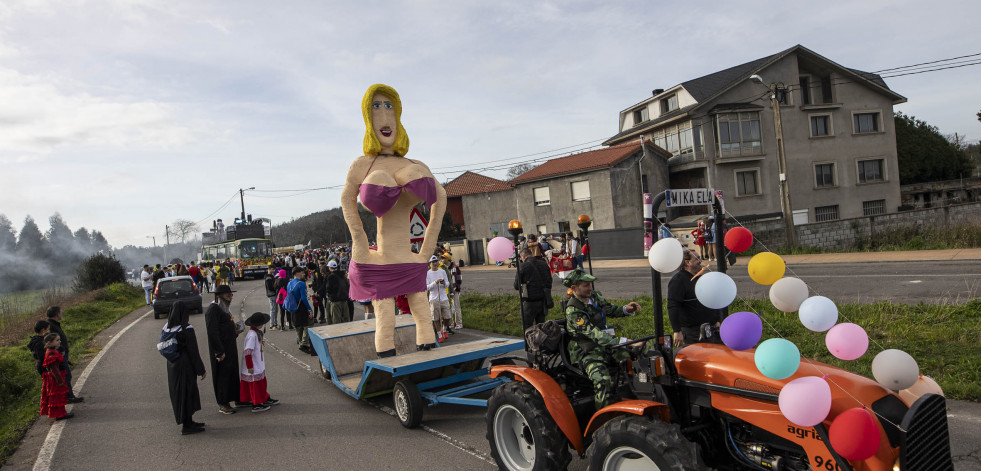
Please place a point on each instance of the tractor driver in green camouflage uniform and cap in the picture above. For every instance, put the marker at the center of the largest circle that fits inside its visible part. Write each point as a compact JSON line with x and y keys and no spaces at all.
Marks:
{"x":592,"y":340}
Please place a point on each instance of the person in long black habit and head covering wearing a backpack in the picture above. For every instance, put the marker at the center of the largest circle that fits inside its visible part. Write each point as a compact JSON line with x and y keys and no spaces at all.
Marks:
{"x":184,"y":395}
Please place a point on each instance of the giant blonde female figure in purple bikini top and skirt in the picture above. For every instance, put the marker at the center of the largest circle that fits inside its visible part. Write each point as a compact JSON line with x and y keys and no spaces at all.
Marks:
{"x":390,"y":185}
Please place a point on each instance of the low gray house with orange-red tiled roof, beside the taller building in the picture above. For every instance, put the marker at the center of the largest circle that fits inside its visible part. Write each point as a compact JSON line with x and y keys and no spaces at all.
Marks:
{"x":606,"y":184}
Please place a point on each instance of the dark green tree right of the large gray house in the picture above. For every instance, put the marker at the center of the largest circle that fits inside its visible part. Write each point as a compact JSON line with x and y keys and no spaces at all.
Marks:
{"x":924,"y":154}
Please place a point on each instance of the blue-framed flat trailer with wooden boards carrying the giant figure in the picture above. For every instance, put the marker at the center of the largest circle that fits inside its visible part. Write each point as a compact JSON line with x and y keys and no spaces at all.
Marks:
{"x":445,"y":375}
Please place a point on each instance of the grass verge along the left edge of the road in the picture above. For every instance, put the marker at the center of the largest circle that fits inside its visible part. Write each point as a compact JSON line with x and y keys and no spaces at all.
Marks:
{"x":20,"y":385}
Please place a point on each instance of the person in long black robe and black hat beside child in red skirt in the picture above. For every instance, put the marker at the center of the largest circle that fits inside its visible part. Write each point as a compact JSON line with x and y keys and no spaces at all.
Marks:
{"x":222,"y":333}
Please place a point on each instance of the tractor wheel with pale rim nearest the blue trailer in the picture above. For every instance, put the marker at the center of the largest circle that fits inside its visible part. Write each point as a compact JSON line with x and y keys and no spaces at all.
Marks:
{"x":521,"y":432}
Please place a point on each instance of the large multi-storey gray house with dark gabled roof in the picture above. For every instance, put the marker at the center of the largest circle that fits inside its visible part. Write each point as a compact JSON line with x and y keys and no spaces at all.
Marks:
{"x":719,"y":129}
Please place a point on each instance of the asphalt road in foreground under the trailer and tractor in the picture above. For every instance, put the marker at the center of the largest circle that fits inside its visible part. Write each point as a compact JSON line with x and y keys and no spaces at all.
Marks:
{"x":126,"y":421}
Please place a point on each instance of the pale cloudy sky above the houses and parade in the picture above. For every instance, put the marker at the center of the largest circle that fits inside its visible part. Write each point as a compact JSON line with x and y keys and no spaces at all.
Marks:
{"x":125,"y":115}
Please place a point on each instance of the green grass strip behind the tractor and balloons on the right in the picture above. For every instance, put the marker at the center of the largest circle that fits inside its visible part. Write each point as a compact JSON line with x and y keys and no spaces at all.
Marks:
{"x":943,"y":339}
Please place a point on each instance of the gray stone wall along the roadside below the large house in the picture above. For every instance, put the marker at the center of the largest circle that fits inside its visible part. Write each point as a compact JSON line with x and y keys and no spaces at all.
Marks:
{"x":847,"y":233}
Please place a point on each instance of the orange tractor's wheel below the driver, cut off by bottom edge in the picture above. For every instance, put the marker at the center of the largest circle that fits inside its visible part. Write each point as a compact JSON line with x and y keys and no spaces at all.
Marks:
{"x":634,"y":442}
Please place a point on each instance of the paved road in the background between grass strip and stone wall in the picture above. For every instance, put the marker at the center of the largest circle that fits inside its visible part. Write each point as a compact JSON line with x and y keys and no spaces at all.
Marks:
{"x":903,"y":282}
